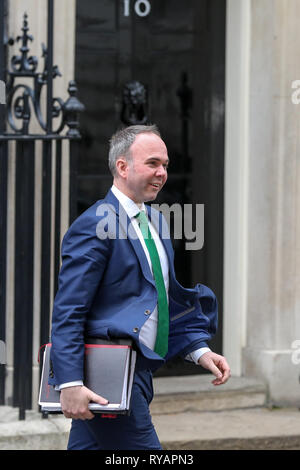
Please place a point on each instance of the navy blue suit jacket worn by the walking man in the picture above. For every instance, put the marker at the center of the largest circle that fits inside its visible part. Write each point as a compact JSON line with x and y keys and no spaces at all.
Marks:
{"x":106,"y":289}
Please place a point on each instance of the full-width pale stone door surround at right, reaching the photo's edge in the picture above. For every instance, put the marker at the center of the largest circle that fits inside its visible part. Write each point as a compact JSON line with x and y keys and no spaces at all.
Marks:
{"x":262,"y":196}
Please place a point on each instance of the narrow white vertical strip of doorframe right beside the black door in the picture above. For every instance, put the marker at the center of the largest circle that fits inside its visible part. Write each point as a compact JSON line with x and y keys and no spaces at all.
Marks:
{"x":236,"y":179}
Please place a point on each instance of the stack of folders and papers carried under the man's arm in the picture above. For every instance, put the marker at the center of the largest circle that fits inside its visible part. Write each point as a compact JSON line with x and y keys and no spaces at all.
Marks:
{"x":109,"y":371}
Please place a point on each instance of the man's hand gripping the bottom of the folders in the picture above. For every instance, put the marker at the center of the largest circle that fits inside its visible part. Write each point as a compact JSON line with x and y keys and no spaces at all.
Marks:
{"x":75,"y":400}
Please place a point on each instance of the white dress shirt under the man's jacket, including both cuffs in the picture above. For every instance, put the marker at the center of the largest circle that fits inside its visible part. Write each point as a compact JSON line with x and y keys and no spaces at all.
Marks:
{"x":148,"y":331}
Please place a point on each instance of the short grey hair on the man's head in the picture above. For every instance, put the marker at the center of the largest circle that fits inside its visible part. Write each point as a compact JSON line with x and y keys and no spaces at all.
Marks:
{"x":122,"y":140}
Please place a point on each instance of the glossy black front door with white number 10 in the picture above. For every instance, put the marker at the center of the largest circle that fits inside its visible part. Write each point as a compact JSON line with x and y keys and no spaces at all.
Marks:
{"x":162,"y":62}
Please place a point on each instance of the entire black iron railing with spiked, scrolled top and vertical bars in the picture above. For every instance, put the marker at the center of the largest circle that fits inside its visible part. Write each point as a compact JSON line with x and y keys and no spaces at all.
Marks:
{"x":23,"y":122}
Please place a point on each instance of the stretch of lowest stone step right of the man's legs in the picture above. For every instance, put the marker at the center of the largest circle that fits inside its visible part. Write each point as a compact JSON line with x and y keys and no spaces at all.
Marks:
{"x":243,"y":429}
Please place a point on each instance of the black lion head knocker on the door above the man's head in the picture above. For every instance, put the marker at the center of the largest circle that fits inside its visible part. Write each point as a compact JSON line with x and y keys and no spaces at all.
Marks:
{"x":134,"y":104}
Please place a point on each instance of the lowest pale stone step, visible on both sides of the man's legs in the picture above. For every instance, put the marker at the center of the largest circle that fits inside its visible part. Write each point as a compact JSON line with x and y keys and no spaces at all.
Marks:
{"x":242,"y":429}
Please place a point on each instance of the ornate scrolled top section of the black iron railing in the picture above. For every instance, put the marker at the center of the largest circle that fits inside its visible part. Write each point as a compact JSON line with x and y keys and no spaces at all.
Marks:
{"x":18,"y":107}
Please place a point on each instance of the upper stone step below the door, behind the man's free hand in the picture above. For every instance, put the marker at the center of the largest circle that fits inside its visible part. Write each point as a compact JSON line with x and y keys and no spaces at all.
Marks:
{"x":196,"y":393}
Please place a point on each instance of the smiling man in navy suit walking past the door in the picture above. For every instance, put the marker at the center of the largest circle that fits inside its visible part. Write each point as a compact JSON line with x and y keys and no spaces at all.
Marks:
{"x":107,"y":289}
